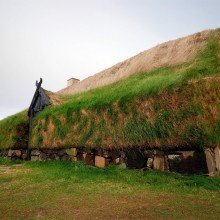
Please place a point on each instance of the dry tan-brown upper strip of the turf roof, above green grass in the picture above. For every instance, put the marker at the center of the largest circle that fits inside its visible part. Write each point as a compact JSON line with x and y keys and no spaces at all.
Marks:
{"x":167,"y":54}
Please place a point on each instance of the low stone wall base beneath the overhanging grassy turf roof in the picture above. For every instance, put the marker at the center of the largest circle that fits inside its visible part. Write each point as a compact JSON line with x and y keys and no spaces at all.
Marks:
{"x":186,"y":162}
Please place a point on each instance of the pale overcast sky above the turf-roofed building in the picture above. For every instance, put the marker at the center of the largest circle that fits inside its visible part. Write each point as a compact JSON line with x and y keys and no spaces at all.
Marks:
{"x":60,"y":39}
